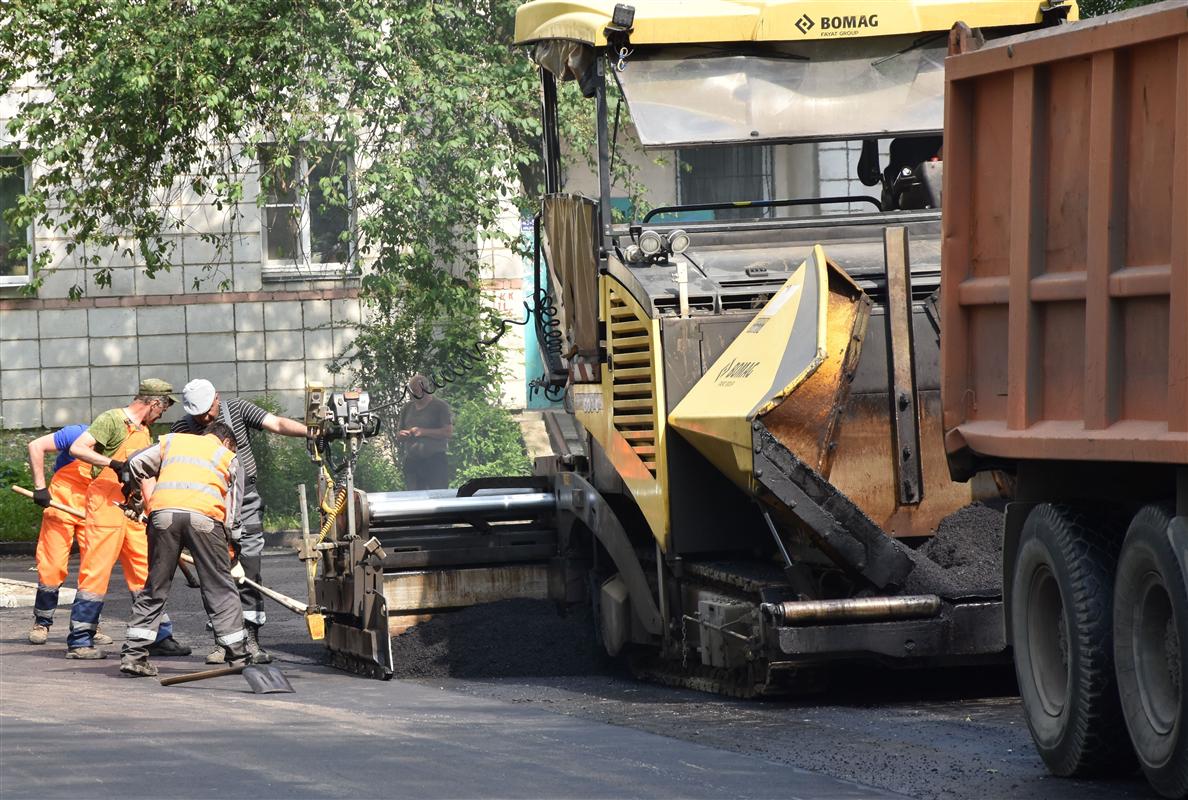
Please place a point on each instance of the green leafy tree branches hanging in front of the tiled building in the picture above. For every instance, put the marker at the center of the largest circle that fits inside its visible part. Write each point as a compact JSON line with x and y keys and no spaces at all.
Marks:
{"x":424,"y":110}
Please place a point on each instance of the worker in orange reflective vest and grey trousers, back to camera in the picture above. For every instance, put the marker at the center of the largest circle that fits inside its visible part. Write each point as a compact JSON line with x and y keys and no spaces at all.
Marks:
{"x":194,"y":490}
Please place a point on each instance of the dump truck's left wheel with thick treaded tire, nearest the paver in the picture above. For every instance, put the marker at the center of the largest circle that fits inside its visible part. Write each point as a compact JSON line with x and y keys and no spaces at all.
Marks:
{"x":1063,"y":632}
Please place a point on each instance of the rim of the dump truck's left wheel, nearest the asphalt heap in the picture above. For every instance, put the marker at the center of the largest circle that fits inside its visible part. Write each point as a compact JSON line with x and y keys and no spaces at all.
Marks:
{"x":1048,"y":640}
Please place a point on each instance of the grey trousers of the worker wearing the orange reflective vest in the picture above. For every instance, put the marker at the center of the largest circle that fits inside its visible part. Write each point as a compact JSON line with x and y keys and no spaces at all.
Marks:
{"x":169,"y":532}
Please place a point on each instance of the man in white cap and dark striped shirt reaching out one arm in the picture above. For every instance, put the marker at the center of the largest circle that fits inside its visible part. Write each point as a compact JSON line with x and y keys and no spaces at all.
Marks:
{"x":204,"y":406}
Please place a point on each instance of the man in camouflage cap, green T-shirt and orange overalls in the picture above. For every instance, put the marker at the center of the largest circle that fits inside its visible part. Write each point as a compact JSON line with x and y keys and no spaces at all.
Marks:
{"x":109,"y":536}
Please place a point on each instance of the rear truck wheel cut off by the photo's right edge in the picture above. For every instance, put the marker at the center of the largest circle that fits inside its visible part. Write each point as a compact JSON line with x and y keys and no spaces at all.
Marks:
{"x":1151,"y":638}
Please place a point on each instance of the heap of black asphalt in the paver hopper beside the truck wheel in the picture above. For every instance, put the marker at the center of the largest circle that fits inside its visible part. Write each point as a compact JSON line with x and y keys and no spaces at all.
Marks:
{"x":964,"y":558}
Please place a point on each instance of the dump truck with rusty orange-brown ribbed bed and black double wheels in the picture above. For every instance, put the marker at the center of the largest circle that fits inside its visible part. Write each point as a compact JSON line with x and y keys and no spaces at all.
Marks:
{"x":1065,"y":362}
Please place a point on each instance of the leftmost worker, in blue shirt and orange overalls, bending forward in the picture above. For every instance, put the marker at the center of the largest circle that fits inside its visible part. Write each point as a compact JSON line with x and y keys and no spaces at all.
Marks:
{"x":68,"y":487}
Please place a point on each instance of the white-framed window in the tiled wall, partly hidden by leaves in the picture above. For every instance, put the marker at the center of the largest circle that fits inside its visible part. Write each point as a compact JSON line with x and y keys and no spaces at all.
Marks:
{"x":307,"y":221}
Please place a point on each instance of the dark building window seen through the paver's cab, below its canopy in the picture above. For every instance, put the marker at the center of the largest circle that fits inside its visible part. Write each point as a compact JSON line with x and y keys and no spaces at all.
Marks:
{"x":724,"y":175}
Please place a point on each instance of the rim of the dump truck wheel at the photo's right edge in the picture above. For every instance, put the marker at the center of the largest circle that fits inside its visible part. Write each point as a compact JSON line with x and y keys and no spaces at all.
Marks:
{"x":1158,"y":656}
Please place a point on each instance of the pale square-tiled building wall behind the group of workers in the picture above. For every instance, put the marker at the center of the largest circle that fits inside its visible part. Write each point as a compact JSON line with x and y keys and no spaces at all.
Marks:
{"x":65,"y":362}
